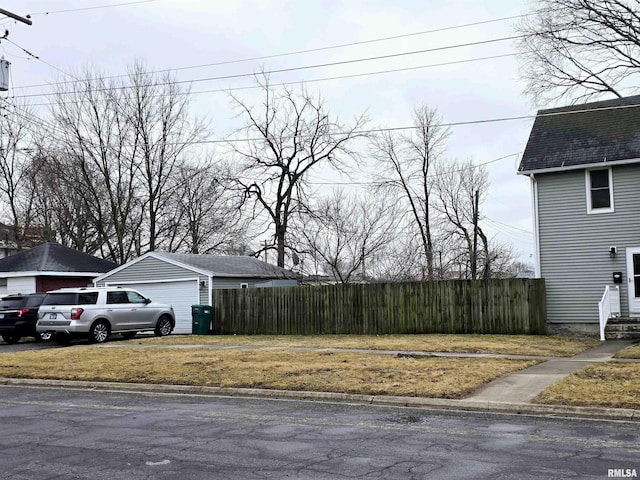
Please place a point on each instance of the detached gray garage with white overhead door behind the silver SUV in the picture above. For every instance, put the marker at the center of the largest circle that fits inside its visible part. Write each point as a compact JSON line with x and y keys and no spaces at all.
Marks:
{"x":183,"y":279}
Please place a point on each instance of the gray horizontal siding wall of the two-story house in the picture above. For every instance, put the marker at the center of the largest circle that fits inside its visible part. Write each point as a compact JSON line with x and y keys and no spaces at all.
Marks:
{"x":574,"y":245}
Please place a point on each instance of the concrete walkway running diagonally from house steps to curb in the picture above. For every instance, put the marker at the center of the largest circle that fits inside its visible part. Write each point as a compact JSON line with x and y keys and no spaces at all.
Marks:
{"x":523,"y":386}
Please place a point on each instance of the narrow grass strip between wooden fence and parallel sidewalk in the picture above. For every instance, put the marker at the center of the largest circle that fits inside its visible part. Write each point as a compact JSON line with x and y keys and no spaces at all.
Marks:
{"x":541,"y":345}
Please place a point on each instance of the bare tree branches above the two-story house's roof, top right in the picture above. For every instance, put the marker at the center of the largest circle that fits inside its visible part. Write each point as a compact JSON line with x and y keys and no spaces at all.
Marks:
{"x":580,"y":49}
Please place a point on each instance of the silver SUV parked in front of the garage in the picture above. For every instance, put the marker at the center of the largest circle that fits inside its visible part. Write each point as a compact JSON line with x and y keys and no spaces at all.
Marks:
{"x":97,"y":312}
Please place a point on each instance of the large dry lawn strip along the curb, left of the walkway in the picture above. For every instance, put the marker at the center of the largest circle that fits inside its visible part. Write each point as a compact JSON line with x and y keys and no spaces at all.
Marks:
{"x":346,"y":372}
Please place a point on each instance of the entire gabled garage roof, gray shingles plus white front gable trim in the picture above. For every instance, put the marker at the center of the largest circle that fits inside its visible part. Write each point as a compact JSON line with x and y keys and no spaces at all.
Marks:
{"x":220,"y":266}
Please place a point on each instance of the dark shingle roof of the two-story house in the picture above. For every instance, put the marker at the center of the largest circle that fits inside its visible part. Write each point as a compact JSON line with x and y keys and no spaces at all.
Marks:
{"x":598,"y":132}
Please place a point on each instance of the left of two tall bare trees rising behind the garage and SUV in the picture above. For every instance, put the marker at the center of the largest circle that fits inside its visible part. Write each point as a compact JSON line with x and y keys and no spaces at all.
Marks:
{"x":94,"y":131}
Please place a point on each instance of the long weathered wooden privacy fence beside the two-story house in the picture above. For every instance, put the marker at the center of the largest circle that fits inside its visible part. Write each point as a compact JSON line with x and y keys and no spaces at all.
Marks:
{"x":510,"y":306}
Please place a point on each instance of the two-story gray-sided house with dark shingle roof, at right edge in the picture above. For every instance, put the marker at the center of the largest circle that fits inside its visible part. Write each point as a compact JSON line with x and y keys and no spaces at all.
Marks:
{"x":584,"y":166}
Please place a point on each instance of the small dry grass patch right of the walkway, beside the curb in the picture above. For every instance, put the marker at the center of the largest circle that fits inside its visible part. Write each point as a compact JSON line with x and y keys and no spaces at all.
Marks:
{"x":607,"y":384}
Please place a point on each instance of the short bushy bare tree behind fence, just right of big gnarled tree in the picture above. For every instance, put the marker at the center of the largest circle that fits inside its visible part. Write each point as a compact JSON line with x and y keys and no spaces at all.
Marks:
{"x":347,"y":233}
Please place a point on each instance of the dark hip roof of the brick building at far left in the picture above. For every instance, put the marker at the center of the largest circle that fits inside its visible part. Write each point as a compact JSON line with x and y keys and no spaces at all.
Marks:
{"x":53,"y":257}
